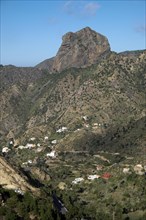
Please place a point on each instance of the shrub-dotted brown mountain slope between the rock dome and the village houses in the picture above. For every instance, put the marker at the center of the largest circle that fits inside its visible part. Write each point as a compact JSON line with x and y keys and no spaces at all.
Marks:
{"x":111,"y":91}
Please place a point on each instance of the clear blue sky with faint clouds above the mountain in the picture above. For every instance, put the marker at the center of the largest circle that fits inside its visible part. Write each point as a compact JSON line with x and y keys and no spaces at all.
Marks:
{"x":31,"y":31}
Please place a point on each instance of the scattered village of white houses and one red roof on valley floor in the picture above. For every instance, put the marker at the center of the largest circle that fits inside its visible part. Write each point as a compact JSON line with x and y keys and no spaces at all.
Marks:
{"x":82,"y":168}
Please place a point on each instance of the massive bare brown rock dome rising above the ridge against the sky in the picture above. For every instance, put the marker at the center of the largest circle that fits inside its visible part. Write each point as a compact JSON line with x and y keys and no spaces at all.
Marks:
{"x":80,"y":49}
